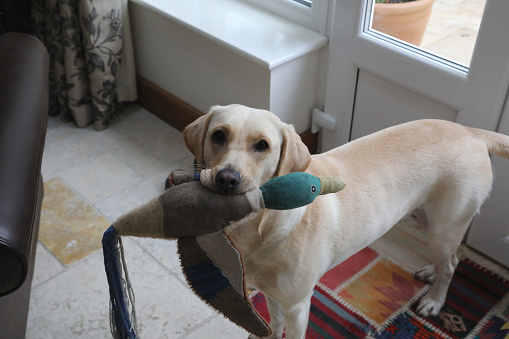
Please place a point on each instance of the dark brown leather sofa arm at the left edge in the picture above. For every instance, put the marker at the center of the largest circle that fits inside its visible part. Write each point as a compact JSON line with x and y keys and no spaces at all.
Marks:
{"x":23,"y":117}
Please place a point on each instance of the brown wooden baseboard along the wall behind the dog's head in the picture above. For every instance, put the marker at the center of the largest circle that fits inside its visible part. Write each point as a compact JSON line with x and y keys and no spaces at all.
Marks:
{"x":179,"y":114}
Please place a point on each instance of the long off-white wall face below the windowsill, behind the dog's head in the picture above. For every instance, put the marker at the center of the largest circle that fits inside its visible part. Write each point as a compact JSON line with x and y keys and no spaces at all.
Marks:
{"x":192,"y":67}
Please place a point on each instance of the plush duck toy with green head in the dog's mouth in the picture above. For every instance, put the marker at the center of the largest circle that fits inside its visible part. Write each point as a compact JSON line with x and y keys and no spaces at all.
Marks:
{"x":195,"y":215}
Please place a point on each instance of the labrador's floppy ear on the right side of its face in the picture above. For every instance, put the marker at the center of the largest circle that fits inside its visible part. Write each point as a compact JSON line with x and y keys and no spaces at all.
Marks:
{"x":295,"y":155}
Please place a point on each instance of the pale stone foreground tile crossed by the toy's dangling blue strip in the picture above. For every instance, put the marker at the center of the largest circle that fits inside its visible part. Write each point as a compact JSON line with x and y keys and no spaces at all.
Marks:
{"x":75,"y":304}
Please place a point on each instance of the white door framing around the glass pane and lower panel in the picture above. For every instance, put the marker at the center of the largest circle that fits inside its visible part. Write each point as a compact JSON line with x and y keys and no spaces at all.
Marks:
{"x":478,"y":93}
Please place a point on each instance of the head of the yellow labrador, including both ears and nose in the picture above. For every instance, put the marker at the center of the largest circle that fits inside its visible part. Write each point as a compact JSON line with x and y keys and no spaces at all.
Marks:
{"x":244,"y":147}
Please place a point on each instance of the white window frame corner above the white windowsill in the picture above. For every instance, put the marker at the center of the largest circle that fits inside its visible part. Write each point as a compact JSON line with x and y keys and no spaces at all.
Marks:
{"x":313,"y":17}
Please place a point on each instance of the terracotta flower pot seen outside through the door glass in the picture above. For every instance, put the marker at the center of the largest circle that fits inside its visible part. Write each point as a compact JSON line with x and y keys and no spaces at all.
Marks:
{"x":406,"y":21}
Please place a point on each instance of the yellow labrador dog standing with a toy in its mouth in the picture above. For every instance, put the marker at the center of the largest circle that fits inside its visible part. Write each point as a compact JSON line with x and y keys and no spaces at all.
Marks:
{"x":438,"y":167}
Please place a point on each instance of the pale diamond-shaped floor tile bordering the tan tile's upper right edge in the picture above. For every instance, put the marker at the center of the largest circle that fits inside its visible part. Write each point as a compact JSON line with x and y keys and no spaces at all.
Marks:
{"x":100,"y":178}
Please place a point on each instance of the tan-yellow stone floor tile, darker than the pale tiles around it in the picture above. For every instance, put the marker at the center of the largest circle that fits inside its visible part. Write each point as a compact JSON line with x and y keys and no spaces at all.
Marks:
{"x":70,"y":228}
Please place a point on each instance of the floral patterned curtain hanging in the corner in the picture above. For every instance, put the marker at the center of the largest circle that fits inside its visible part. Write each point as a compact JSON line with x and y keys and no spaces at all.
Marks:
{"x":91,"y":62}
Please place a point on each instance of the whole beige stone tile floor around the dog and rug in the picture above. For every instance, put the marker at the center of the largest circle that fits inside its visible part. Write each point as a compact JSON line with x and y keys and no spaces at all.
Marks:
{"x":90,"y":179}
